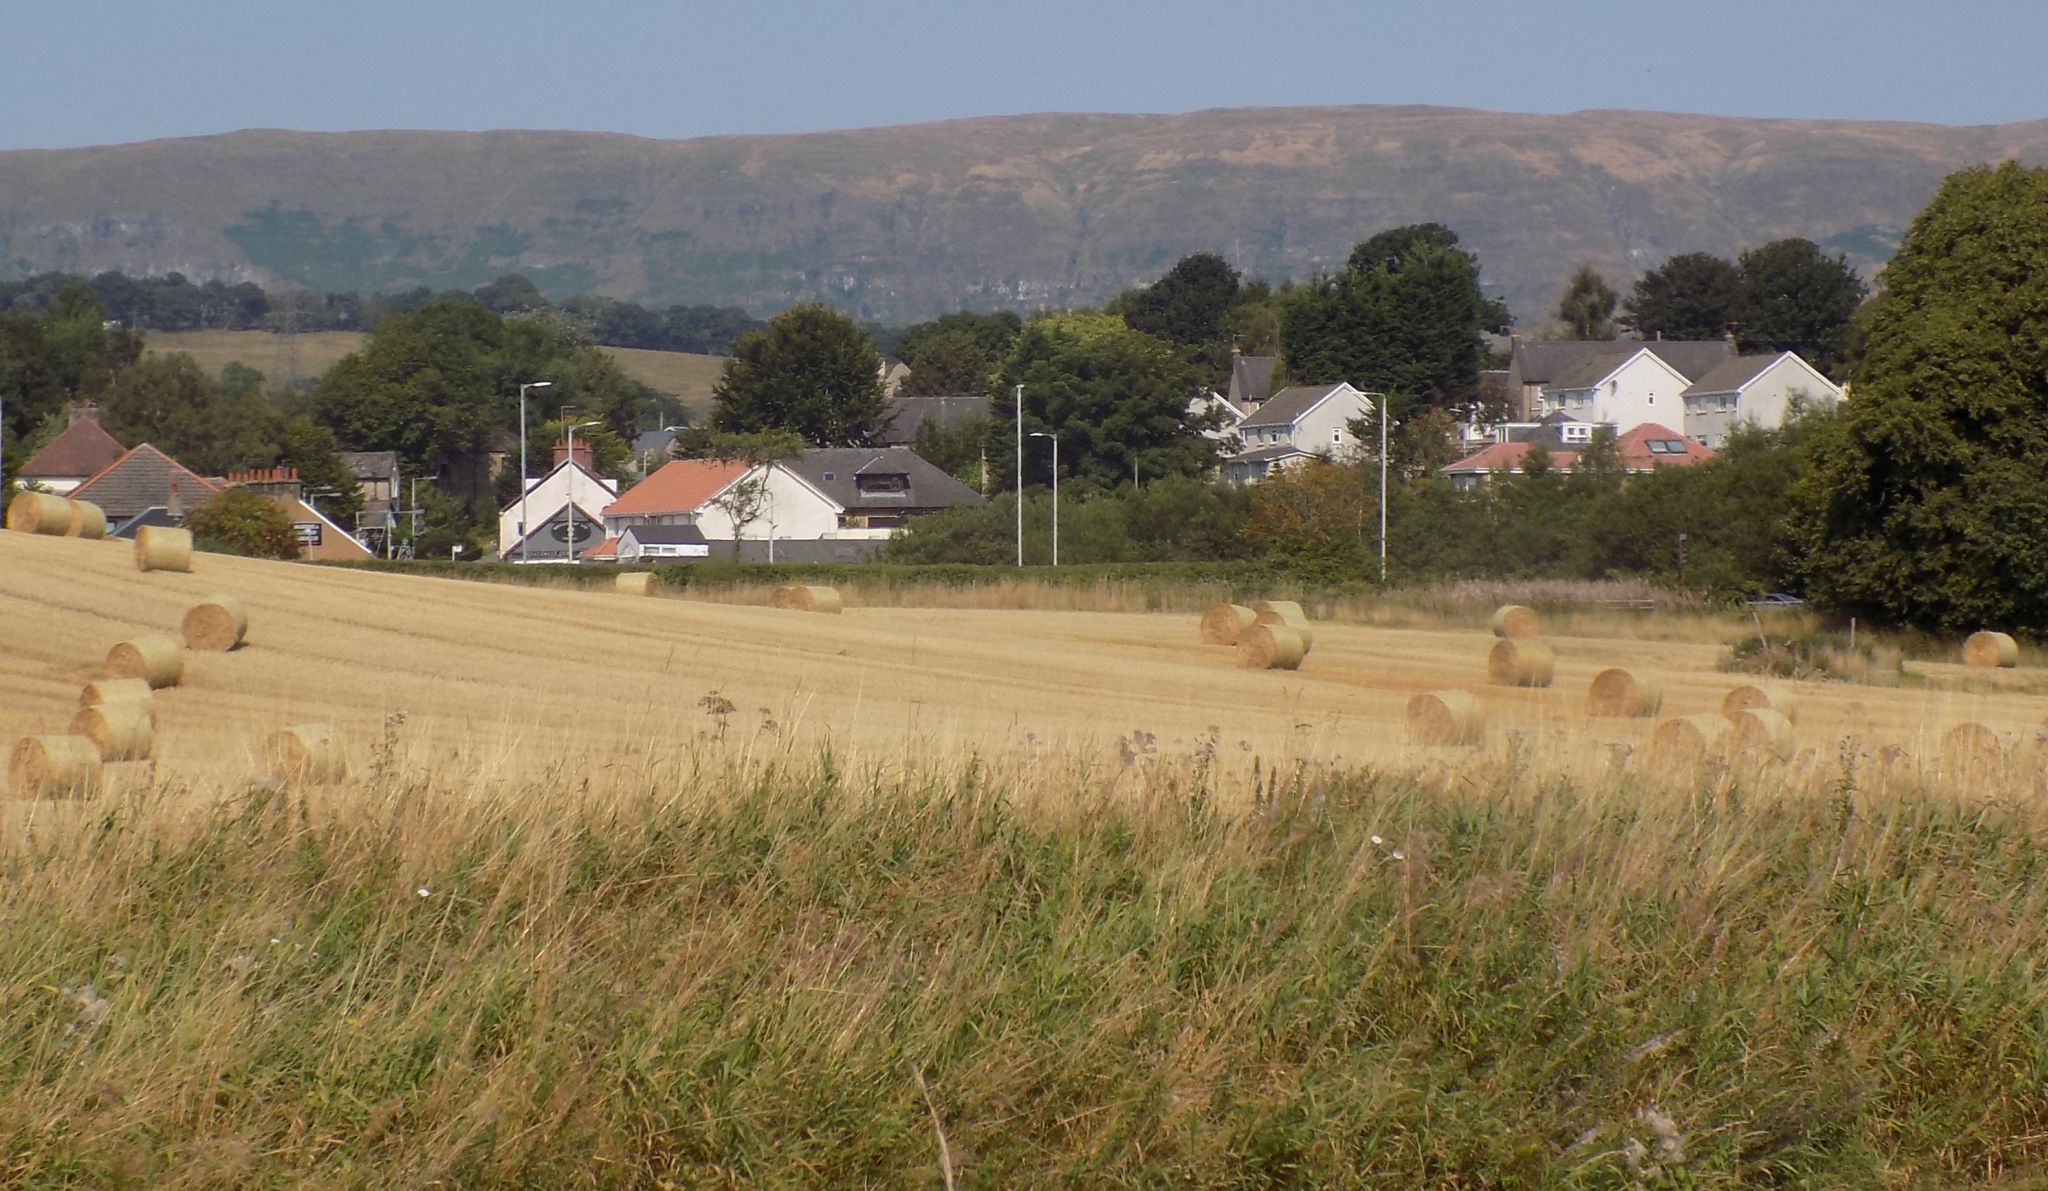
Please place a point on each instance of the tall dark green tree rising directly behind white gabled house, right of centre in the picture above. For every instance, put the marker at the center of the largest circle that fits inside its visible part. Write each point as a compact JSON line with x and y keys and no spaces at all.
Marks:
{"x":1404,"y":318}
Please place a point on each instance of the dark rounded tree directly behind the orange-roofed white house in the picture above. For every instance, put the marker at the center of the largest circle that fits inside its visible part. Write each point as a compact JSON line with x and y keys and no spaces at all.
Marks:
{"x":812,"y":373}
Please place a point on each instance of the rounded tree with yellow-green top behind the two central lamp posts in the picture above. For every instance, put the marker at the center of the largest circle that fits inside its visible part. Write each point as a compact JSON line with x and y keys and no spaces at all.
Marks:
{"x":1115,"y":398}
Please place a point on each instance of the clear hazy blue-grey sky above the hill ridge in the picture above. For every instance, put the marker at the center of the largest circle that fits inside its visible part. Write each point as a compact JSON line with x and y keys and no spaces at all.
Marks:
{"x":128,"y":71}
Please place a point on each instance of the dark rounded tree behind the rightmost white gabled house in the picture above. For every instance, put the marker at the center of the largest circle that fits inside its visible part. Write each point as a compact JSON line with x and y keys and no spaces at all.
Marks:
{"x":1799,"y":300}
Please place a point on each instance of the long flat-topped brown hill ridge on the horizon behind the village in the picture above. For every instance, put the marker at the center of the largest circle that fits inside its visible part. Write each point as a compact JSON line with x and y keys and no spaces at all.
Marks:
{"x":1013,"y":212}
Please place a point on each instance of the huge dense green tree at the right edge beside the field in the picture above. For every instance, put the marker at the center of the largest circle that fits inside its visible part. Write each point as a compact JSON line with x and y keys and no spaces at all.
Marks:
{"x":1926,"y":502}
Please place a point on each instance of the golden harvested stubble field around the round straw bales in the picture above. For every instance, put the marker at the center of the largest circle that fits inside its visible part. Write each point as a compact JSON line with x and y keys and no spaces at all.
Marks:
{"x":509,"y":682}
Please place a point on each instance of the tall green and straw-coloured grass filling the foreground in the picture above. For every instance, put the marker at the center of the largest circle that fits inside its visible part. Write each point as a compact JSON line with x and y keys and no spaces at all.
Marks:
{"x":812,"y":971}
